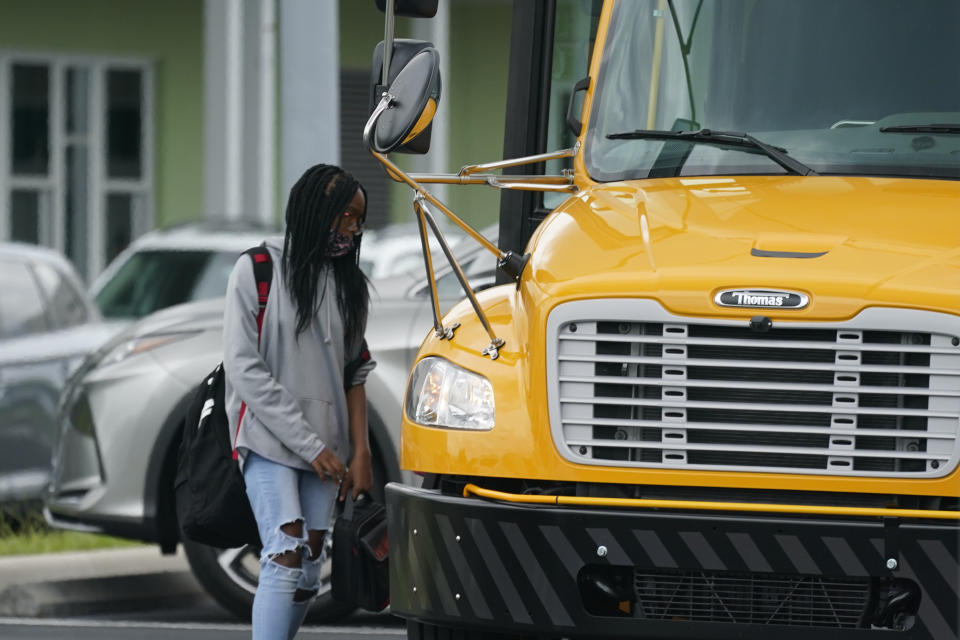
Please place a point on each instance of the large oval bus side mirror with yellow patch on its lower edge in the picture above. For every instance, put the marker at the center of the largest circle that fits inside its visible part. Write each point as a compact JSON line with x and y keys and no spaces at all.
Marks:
{"x":408,"y":105}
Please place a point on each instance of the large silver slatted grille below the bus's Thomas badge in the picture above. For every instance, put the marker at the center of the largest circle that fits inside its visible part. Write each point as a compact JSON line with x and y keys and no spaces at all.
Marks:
{"x":845,"y":400}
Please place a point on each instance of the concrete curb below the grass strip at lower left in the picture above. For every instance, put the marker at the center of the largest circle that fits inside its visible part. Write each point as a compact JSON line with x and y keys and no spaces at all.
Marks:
{"x":91,"y":582}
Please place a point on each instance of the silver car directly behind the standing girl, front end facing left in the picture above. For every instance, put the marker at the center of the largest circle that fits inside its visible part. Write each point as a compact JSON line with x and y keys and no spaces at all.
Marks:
{"x":120,"y":423}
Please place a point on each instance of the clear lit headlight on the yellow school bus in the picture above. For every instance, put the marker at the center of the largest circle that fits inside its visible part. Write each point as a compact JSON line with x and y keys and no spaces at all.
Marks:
{"x":441,"y":394}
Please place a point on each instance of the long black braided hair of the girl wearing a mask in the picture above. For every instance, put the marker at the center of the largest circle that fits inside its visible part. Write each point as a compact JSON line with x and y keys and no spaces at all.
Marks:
{"x":317,"y":202}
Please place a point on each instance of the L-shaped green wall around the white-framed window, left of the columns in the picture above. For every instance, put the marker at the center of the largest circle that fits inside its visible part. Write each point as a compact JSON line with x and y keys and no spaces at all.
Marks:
{"x":168,"y":33}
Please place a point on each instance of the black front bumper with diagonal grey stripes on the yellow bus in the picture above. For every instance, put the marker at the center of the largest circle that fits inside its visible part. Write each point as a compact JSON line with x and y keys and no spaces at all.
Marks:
{"x":467,"y":562}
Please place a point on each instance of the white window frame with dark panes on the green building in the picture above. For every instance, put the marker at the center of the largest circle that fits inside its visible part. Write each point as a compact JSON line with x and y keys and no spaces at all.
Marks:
{"x":99,"y":186}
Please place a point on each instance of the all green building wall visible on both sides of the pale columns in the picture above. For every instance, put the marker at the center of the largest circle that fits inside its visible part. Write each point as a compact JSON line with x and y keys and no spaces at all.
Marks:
{"x":170,"y":34}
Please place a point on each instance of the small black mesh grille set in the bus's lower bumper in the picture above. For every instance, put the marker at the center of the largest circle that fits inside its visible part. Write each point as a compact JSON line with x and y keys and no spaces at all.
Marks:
{"x":696,"y":596}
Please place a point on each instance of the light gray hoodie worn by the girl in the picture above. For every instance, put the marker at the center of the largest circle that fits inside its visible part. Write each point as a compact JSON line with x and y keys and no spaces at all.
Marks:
{"x":293,"y":386}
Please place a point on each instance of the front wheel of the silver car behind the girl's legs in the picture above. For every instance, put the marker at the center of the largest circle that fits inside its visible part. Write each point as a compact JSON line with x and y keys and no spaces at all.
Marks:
{"x":230,"y":575}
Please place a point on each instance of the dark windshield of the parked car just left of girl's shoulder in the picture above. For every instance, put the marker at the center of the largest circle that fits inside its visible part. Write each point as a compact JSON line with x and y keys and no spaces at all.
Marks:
{"x":154,"y":279}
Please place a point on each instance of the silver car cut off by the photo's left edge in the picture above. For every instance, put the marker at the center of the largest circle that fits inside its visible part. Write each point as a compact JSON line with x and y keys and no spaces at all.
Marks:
{"x":47,"y":326}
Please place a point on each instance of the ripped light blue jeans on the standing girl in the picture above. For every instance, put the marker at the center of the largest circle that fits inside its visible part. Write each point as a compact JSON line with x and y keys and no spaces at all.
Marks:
{"x":281,"y":495}
